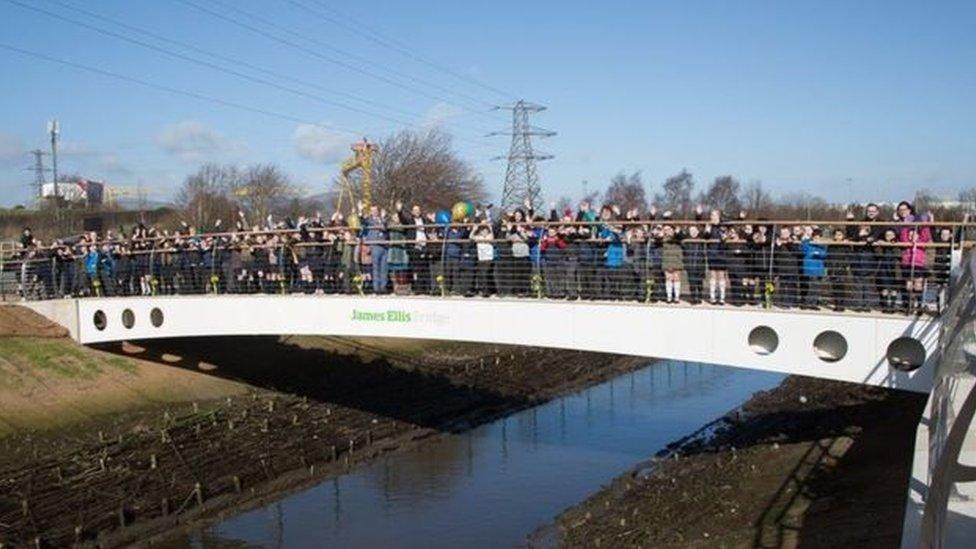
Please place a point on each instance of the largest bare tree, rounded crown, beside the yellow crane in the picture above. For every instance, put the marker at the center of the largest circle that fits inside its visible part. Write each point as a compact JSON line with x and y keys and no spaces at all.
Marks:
{"x":422,"y":167}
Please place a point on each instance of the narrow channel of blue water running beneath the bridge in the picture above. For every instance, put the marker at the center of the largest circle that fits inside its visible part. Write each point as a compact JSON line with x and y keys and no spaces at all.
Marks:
{"x":493,"y":485}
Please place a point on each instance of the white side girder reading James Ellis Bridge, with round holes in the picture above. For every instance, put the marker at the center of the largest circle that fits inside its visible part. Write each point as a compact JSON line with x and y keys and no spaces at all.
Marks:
{"x":889,"y":351}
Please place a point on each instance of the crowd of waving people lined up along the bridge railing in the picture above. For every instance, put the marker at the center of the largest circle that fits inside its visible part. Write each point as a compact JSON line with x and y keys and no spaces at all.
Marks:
{"x":591,"y":253}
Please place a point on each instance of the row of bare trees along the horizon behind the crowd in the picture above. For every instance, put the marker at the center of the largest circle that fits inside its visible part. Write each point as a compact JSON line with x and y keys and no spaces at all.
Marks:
{"x":422,"y":167}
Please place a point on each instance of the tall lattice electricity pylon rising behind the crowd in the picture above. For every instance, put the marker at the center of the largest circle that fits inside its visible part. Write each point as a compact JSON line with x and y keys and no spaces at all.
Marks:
{"x":521,"y":177}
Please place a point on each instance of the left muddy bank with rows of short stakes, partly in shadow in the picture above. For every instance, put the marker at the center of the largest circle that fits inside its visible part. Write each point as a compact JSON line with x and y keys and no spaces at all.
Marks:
{"x":301,"y":410}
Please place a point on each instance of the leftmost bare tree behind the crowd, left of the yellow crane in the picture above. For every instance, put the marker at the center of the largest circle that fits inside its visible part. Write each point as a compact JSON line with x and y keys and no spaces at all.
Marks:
{"x":205,"y":195}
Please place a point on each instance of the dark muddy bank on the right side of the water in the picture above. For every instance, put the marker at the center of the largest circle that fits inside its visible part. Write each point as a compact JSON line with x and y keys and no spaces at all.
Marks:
{"x":811,"y":463}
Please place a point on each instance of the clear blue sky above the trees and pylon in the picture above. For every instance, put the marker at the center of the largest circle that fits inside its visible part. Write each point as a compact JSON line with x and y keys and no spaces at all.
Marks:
{"x":802,"y":96}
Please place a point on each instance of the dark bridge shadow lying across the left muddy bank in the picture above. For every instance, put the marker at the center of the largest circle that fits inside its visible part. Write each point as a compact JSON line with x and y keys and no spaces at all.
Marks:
{"x":385,"y":383}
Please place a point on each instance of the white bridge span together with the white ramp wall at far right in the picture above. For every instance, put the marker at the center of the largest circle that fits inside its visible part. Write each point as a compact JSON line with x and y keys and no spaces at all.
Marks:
{"x":923,"y":354}
